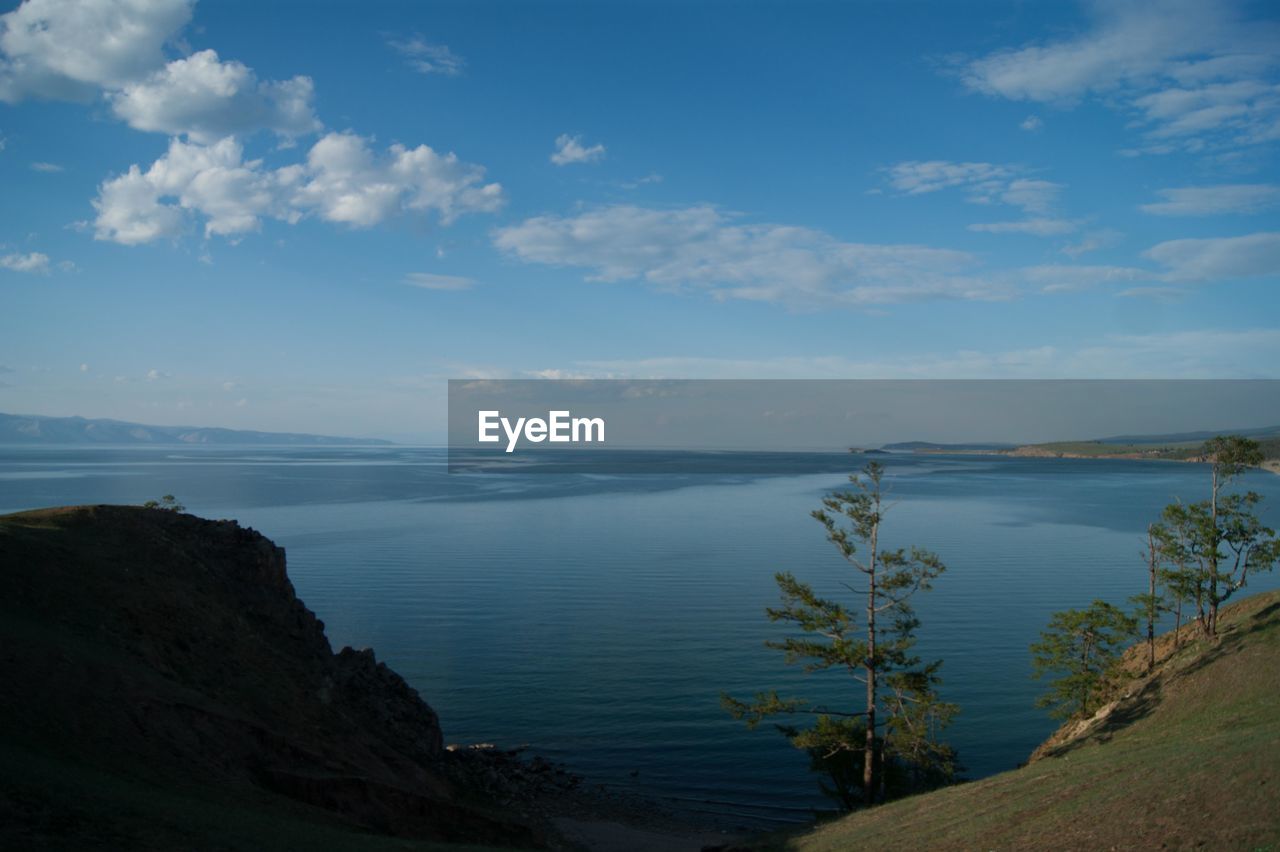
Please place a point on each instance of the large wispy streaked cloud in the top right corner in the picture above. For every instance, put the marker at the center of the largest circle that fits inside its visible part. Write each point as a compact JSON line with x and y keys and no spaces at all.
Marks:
{"x":1190,"y":71}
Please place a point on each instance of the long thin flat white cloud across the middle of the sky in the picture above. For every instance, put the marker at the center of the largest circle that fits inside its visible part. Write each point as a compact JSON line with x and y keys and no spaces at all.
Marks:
{"x":702,"y":249}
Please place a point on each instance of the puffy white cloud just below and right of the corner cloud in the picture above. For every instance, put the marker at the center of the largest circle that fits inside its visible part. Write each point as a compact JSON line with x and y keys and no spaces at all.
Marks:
{"x":208,"y":99}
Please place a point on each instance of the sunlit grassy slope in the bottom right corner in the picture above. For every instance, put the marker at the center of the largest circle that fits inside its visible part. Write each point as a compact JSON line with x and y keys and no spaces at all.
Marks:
{"x":1191,"y":758}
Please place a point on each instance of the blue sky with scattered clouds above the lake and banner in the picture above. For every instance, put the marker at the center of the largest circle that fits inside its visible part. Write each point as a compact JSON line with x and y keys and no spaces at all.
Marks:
{"x":308,"y":217}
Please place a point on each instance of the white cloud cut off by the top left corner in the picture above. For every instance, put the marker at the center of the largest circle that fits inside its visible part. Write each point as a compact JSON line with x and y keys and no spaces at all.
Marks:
{"x":72,"y":49}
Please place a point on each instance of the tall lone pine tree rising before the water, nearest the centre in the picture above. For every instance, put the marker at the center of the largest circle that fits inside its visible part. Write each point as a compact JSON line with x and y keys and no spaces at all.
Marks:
{"x":894,"y":738}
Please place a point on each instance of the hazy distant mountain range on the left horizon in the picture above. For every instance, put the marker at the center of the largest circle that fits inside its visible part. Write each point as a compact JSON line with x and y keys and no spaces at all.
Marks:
{"x":34,"y":429}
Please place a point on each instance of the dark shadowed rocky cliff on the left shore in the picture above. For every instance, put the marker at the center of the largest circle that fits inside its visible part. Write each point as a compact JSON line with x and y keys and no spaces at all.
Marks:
{"x":166,"y":657}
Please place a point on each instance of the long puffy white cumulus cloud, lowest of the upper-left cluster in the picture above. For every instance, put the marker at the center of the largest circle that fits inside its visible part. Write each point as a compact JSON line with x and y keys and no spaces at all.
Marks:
{"x":342,"y":181}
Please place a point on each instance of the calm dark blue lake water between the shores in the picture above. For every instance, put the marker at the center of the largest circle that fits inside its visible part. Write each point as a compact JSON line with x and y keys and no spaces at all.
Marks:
{"x":598,"y":619}
